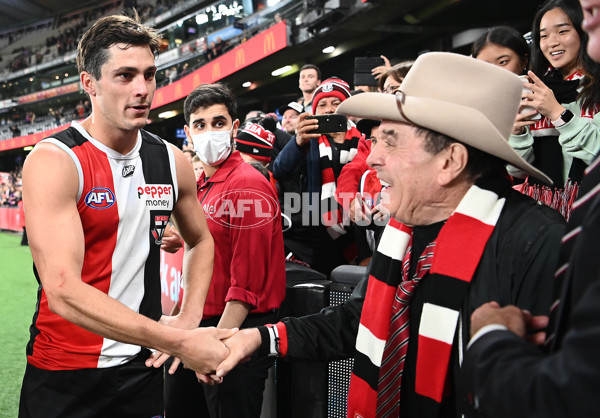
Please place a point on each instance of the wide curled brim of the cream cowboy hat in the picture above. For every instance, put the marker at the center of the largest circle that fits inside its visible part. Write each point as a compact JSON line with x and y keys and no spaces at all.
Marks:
{"x":462,"y":123}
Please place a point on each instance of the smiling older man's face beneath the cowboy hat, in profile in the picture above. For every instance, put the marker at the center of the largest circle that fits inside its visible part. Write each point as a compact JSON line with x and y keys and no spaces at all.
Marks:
{"x":411,"y":172}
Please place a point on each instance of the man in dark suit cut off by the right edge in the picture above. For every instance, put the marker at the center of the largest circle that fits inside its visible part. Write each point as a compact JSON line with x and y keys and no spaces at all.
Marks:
{"x":503,"y":374}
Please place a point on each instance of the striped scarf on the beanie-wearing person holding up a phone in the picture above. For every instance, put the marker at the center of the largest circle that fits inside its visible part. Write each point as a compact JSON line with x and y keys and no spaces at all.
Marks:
{"x":332,"y":213}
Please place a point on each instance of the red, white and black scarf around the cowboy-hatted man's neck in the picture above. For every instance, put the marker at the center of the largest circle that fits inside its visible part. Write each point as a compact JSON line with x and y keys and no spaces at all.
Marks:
{"x":457,"y":252}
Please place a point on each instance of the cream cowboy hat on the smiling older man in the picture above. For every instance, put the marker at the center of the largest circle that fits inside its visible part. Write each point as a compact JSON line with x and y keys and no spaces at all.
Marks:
{"x":466,"y":99}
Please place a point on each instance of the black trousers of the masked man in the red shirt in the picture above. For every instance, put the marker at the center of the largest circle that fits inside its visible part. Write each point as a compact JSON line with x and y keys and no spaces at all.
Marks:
{"x":239,"y":396}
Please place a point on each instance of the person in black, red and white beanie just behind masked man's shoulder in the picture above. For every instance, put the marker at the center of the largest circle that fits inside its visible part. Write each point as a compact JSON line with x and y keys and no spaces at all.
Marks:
{"x":255,"y":145}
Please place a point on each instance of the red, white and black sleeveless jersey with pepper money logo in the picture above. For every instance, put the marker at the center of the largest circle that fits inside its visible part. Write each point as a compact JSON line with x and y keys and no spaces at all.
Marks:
{"x":124,"y":203}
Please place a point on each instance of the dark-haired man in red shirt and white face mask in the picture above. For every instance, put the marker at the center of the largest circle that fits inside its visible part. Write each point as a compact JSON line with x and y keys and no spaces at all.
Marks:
{"x":248,"y":280}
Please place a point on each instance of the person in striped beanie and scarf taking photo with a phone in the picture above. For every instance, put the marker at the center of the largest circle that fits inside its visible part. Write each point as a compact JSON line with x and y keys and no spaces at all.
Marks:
{"x":316,"y":161}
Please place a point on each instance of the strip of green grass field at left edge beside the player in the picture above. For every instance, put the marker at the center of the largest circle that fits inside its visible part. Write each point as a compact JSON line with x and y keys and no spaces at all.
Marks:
{"x":18,"y":289}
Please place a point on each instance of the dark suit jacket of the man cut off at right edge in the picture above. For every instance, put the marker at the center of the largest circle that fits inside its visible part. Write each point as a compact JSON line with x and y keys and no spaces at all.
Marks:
{"x":504,"y":376}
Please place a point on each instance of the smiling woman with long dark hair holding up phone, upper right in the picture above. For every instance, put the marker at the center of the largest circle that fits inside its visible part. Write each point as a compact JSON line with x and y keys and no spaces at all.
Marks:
{"x":566,"y":92}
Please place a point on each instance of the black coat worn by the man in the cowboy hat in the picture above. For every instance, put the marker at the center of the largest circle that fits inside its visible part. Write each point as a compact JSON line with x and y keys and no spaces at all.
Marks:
{"x":516,"y":268}
